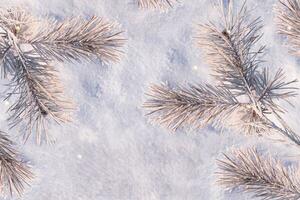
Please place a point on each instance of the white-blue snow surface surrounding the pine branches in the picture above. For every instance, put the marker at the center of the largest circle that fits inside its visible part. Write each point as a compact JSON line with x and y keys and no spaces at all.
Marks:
{"x":111,"y":151}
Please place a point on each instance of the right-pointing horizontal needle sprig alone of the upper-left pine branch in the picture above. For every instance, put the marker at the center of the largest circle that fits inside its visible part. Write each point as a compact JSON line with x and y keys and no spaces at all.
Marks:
{"x":77,"y":38}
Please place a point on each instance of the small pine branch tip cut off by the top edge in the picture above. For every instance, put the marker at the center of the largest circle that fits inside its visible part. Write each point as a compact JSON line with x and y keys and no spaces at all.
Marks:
{"x":156,"y":4}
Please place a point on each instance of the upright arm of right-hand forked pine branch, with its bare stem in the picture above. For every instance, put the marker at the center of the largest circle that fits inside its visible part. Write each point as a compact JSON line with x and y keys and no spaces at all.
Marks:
{"x":230,"y":50}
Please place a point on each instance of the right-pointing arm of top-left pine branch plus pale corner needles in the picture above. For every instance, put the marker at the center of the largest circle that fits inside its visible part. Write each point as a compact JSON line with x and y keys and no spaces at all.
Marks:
{"x":70,"y":39}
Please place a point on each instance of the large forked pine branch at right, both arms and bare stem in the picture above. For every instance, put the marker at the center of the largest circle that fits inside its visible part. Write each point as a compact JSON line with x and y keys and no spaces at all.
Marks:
{"x":246,"y":95}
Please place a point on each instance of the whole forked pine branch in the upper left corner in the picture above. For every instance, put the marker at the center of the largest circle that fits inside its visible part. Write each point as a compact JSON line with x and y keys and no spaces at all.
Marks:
{"x":28,"y":47}
